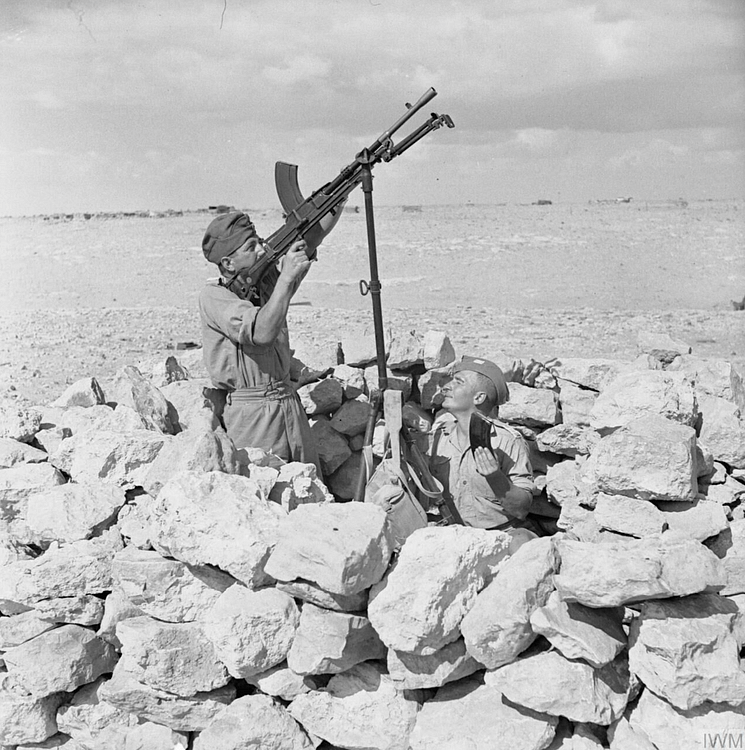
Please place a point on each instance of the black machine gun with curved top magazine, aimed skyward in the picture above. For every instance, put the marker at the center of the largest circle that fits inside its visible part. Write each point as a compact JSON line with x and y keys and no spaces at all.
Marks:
{"x":311,"y":219}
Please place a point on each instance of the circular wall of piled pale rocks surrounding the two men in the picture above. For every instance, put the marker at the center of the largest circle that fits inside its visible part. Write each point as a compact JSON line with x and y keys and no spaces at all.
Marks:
{"x":160,"y":589}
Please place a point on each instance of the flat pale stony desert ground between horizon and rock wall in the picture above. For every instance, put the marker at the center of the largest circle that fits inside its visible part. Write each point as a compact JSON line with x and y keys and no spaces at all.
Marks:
{"x":84,"y":296}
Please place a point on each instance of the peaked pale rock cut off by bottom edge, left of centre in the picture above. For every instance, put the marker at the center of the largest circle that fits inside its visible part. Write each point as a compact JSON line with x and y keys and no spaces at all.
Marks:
{"x":253,"y":721}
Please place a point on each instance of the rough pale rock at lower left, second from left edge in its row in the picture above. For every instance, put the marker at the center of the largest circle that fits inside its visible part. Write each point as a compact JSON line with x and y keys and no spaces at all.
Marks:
{"x":175,"y":657}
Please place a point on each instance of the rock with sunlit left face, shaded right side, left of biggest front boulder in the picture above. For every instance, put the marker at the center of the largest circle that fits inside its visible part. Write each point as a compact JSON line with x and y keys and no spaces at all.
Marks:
{"x":328,"y":642}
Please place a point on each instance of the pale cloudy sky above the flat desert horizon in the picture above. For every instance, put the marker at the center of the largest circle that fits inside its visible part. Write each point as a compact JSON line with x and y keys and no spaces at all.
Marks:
{"x":119,"y":105}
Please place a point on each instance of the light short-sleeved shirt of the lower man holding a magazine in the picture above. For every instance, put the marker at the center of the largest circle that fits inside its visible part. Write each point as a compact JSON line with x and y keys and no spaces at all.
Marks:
{"x":453,"y":464}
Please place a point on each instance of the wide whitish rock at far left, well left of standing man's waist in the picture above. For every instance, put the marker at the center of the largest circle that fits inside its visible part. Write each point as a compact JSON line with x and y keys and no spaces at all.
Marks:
{"x":122,"y":458}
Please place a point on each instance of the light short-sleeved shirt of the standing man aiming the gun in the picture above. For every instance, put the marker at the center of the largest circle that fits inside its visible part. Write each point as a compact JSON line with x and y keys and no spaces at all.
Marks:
{"x":230,"y":355}
